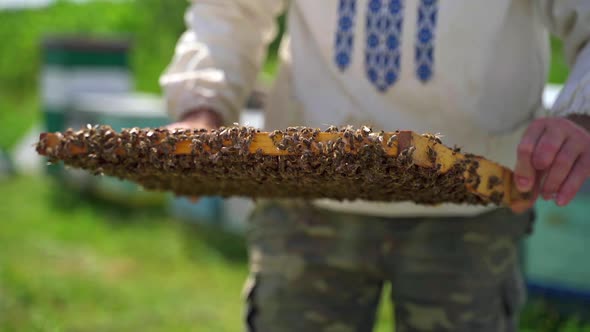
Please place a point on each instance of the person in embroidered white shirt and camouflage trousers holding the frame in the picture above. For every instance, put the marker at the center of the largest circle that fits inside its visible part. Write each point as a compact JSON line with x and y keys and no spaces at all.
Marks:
{"x":471,"y":70}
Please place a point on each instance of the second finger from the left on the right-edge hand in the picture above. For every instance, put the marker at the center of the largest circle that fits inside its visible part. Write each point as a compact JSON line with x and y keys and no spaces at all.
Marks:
{"x":548,"y":147}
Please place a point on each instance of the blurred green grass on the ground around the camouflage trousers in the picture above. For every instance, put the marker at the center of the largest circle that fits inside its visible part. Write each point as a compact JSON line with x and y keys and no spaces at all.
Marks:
{"x":70,"y":265}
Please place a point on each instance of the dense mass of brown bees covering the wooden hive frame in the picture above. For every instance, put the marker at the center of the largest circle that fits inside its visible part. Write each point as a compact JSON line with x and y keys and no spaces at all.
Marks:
{"x":221,"y":163}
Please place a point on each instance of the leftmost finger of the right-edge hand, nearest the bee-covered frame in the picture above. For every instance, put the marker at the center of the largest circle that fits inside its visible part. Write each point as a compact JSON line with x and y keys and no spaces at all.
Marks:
{"x":524,"y":172}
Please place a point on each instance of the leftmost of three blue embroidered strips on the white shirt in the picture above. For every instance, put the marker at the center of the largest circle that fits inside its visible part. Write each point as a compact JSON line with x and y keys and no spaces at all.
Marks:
{"x":345,"y":34}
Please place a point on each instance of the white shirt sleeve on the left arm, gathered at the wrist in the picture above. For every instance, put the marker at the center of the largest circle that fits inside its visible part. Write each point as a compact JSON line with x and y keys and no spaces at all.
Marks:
{"x":219,"y":56}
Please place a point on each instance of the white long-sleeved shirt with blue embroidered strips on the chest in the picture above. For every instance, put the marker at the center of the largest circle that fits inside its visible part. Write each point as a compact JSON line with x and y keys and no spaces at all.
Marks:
{"x":471,"y":70}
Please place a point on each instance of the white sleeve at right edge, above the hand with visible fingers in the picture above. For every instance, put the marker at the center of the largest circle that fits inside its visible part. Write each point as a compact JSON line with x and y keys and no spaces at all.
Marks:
{"x":569,"y":20}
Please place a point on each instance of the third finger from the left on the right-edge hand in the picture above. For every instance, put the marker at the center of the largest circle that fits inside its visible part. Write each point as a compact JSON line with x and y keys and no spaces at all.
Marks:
{"x":561,"y":167}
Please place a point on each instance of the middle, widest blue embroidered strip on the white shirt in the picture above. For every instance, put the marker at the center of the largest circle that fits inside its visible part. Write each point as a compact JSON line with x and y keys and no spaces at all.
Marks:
{"x":383,"y":51}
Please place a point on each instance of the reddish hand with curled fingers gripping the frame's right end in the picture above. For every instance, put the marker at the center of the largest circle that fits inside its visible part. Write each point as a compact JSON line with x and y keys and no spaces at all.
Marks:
{"x":553,"y":160}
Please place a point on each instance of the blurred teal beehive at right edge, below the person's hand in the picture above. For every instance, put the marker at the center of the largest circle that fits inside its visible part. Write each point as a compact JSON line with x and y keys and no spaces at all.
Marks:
{"x":556,"y":255}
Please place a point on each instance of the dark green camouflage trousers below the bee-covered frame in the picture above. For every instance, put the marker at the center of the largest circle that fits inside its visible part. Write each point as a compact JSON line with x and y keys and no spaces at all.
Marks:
{"x":315,"y":270}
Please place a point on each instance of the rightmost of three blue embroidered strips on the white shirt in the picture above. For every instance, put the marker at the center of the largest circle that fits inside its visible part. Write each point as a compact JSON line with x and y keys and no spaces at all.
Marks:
{"x":427,"y":17}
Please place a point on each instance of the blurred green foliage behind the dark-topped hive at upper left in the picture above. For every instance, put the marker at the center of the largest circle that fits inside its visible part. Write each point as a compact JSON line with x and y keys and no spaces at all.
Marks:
{"x":153,"y":25}
